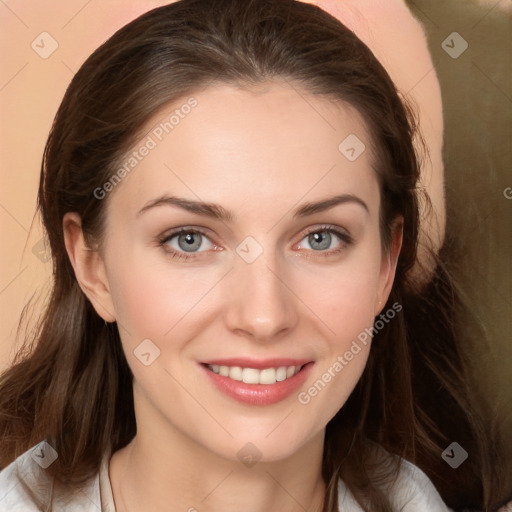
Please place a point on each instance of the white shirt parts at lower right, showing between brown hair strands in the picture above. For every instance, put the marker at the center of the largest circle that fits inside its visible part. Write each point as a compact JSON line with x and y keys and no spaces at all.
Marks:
{"x":412,"y":491}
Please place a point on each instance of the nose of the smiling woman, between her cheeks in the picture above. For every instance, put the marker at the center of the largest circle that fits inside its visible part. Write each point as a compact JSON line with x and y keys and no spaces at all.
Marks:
{"x":261,"y":304}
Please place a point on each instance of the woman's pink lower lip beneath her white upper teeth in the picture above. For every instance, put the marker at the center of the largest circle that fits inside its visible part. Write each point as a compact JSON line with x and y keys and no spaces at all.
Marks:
{"x":259,"y":394}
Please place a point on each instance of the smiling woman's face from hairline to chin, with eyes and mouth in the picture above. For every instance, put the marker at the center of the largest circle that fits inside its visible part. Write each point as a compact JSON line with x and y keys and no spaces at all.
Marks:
{"x":271,"y":282}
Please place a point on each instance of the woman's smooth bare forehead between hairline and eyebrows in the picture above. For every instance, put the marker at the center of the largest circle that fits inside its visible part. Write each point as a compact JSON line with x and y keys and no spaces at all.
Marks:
{"x":268,"y":142}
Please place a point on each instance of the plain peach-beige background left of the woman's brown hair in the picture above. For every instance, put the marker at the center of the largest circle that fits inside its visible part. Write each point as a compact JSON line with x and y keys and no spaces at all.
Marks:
{"x":31,"y":89}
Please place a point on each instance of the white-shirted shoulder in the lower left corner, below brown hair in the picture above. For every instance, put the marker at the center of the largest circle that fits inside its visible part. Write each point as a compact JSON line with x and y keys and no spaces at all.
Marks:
{"x":26,"y":486}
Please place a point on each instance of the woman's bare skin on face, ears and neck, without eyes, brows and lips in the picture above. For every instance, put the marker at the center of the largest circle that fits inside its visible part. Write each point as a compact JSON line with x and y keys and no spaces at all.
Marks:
{"x":259,"y":153}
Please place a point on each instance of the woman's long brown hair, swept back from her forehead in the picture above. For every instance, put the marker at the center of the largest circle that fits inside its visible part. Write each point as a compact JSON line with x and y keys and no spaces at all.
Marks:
{"x":73,"y":385}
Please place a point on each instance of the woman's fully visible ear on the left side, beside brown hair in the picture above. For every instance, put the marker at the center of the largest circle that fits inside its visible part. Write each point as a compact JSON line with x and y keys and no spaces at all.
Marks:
{"x":88,"y":266}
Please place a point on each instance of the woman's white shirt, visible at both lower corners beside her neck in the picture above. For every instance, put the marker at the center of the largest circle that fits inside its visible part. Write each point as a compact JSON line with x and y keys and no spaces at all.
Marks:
{"x":25,"y":486}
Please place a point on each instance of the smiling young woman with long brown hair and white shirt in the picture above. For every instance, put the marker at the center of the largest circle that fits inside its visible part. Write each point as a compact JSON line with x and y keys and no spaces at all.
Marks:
{"x":229,"y":191}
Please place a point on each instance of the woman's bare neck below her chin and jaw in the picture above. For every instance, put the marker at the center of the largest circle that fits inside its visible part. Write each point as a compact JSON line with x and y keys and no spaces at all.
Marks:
{"x":145,"y":476}
